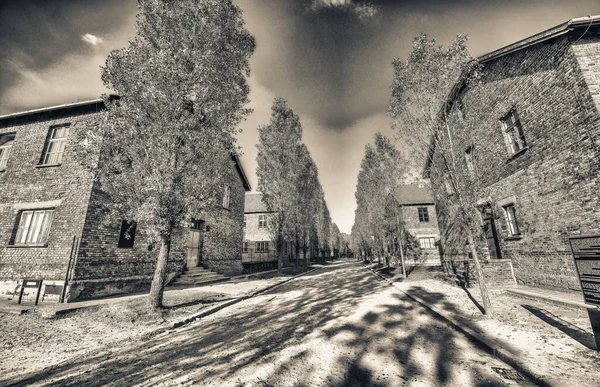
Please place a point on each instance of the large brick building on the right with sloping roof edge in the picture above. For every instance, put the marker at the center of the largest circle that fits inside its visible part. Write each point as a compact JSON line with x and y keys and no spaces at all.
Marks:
{"x":541,"y":133}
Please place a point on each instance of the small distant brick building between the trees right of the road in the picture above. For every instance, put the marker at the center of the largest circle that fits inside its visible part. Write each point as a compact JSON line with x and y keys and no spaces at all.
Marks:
{"x":417,"y":213}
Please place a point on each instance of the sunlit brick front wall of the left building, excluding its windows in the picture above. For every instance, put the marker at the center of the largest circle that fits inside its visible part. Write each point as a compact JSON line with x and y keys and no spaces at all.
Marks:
{"x":24,"y":185}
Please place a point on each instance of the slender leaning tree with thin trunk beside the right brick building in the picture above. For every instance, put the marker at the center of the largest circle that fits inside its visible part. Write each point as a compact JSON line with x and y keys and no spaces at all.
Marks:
{"x":421,"y":95}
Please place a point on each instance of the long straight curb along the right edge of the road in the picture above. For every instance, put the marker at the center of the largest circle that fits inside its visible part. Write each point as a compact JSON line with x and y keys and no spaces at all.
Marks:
{"x":488,"y":345}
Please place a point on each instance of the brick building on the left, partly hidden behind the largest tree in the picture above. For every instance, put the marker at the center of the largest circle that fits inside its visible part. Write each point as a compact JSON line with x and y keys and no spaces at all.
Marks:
{"x":51,"y":216}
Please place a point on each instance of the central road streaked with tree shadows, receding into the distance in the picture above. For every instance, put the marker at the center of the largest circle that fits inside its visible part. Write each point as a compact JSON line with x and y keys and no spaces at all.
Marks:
{"x":338,"y":326}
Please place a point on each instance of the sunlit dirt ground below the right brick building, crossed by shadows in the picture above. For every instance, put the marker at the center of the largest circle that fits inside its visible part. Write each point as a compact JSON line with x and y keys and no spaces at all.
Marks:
{"x":555,"y":342}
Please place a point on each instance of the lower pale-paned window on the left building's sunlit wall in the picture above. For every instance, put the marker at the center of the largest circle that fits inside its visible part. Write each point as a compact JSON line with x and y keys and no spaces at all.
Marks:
{"x":43,"y":229}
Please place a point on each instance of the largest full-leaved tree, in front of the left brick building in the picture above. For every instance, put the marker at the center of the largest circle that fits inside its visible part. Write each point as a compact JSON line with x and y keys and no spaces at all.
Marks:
{"x":166,"y":141}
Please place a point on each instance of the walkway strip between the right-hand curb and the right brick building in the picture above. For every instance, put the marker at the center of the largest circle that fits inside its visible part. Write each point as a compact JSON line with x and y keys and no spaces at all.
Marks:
{"x":543,"y":339}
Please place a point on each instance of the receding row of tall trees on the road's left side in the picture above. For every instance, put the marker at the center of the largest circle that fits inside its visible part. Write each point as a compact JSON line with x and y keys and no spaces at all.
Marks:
{"x":289,"y":182}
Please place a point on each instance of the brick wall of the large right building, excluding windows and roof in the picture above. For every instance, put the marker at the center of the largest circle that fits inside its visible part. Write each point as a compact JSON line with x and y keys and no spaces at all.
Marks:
{"x":554,"y":184}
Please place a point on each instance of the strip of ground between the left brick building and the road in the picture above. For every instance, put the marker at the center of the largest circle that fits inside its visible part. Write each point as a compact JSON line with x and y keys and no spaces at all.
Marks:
{"x":31,"y":342}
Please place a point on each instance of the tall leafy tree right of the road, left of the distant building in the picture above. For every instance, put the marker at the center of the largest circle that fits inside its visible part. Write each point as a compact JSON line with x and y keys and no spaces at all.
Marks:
{"x":382,"y":169}
